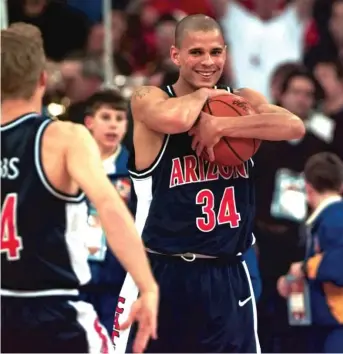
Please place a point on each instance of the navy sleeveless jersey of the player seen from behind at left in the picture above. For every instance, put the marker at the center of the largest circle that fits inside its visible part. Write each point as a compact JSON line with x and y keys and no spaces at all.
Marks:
{"x":42,"y":252}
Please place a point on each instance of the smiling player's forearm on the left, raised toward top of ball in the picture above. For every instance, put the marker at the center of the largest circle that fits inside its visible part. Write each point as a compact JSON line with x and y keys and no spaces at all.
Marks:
{"x":182,"y":112}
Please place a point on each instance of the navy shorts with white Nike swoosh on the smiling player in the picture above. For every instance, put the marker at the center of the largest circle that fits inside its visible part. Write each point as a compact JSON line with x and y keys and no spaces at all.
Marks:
{"x":206,"y":306}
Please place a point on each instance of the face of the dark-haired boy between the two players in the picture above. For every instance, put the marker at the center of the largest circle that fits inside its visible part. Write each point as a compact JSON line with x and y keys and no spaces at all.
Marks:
{"x":108,"y":126}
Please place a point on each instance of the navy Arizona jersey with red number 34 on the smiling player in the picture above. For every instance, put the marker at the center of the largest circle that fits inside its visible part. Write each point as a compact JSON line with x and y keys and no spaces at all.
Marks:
{"x":186,"y":204}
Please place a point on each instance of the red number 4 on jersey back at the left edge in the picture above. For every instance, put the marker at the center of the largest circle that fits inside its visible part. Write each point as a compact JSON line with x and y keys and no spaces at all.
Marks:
{"x":11,"y":242}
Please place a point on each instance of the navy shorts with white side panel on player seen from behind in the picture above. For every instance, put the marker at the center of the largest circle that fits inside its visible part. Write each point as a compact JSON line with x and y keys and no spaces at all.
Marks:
{"x":51,"y":325}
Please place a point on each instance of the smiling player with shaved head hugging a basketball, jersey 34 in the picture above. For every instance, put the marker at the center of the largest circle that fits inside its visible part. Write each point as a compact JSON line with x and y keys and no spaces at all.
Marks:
{"x":196,"y":218}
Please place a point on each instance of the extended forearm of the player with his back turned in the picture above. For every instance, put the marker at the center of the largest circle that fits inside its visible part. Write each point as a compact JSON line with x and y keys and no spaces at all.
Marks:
{"x":126,"y":244}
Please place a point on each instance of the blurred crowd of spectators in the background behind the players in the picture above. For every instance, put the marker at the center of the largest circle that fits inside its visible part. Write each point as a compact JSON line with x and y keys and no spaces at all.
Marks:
{"x":291,"y":51}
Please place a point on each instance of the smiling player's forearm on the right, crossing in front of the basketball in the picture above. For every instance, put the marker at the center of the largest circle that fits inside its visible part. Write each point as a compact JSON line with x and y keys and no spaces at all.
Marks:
{"x":264,"y":126}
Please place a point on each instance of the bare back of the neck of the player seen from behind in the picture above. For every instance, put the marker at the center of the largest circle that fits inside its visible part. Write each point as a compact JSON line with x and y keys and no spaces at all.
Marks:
{"x":12,"y":109}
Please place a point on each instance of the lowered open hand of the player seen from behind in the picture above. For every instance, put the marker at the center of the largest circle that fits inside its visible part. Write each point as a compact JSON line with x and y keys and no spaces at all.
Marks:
{"x":144,"y":311}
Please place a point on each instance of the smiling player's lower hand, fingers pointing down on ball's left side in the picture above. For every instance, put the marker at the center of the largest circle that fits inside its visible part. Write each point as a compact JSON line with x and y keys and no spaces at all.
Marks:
{"x":205,"y":135}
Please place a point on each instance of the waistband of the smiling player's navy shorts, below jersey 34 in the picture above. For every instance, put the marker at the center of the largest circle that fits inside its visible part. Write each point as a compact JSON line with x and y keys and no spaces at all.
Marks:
{"x":191,"y":257}
